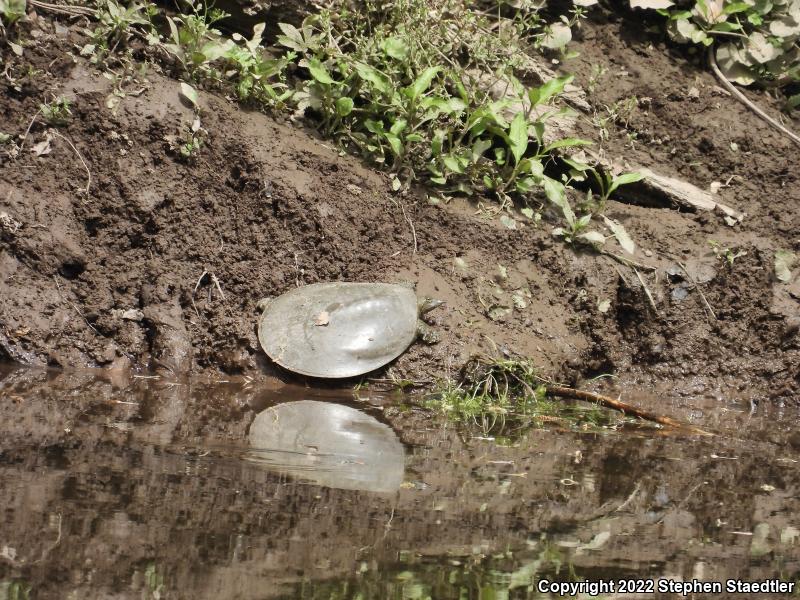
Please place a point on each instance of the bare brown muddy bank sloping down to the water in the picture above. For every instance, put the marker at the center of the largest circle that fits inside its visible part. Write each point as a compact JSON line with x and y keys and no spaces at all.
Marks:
{"x":126,"y":274}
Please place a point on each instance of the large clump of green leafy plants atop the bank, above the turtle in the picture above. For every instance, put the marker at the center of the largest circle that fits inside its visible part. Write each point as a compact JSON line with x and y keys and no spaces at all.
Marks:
{"x":387,"y":87}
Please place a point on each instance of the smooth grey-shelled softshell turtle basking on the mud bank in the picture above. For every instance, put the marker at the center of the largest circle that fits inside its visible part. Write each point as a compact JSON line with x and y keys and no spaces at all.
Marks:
{"x":342,"y":329}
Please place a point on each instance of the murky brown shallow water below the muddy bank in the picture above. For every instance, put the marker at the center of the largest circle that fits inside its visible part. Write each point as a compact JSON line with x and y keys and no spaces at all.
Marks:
{"x":122,"y":488}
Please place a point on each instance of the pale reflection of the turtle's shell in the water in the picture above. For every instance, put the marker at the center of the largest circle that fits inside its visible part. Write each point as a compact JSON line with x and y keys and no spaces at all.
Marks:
{"x":329,"y":444}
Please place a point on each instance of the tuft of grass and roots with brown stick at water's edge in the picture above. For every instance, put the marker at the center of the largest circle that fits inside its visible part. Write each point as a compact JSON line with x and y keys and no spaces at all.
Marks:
{"x":505,"y":397}
